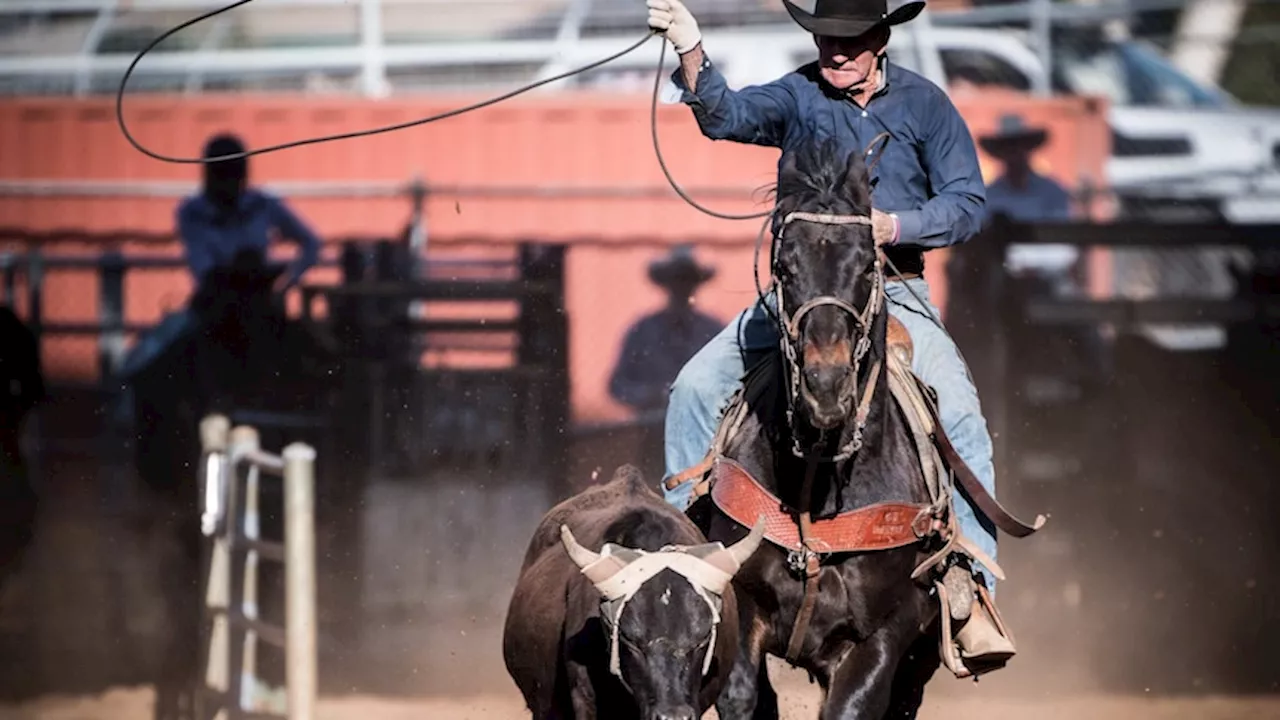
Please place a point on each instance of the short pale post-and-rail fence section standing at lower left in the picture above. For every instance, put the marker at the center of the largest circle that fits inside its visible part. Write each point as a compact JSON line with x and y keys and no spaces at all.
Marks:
{"x":231,"y":520}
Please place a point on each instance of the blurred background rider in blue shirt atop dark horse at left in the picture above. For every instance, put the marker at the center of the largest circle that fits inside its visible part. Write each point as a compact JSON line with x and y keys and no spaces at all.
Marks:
{"x":228,"y":216}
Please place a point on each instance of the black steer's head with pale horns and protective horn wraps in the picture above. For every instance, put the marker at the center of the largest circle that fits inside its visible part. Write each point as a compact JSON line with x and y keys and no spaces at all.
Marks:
{"x":662,"y":612}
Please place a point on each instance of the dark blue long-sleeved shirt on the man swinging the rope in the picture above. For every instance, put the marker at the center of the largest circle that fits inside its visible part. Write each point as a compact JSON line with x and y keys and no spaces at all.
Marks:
{"x":929,"y":175}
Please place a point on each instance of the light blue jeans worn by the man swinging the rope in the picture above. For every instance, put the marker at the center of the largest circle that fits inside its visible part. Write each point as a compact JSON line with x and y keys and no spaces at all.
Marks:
{"x":710,"y":380}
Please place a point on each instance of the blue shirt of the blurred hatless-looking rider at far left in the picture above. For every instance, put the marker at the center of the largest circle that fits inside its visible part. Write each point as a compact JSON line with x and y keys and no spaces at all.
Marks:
{"x":212,"y":241}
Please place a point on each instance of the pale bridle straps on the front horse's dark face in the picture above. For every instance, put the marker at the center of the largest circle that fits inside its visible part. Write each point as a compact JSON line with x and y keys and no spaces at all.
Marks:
{"x":789,"y":335}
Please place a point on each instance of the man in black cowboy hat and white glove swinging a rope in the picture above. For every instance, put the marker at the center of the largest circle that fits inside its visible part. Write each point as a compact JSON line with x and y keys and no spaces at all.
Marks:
{"x":927,"y":192}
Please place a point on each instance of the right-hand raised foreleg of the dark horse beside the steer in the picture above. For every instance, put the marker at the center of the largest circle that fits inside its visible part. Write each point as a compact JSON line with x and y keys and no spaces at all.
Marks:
{"x":863,"y":683}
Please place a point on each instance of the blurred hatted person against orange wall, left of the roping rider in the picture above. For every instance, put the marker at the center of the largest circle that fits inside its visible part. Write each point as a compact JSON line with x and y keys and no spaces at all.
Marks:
{"x":659,"y":345}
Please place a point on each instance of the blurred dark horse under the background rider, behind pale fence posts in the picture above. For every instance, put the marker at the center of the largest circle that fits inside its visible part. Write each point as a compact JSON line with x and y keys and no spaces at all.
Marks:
{"x":240,"y":353}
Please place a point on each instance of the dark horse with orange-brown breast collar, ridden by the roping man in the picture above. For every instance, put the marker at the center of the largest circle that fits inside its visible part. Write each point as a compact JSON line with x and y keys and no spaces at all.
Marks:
{"x":824,"y":435}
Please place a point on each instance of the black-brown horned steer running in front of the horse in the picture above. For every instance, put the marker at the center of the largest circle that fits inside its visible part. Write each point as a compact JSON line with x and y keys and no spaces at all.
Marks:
{"x":643,"y":630}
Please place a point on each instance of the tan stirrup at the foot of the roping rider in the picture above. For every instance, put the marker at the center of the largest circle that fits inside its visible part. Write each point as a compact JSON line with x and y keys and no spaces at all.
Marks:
{"x":981,"y":645}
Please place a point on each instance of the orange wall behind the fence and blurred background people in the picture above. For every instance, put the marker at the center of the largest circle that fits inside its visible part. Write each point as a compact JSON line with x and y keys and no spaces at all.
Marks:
{"x":554,"y":140}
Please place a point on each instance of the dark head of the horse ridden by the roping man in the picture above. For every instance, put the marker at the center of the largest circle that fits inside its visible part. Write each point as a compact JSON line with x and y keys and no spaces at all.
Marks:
{"x":829,"y":279}
